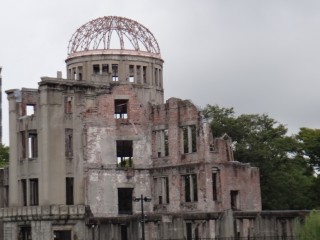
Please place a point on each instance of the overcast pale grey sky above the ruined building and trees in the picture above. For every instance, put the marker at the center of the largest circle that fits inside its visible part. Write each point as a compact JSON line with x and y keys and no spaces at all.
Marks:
{"x":258,"y":56}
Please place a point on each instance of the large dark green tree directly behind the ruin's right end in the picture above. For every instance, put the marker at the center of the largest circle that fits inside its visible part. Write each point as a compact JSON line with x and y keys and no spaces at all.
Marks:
{"x":286,"y":178}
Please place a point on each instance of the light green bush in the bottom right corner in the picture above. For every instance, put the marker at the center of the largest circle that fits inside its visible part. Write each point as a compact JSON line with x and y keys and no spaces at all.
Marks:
{"x":310,"y":230}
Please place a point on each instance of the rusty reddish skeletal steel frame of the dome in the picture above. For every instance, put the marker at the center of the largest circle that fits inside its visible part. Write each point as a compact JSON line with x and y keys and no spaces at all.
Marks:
{"x":97,"y":34}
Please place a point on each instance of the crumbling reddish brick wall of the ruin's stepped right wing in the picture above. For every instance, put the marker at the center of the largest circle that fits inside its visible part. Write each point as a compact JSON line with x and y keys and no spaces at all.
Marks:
{"x":210,"y":155}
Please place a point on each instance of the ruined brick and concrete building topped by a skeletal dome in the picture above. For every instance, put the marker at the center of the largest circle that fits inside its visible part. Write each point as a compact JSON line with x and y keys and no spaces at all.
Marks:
{"x":83,"y":147}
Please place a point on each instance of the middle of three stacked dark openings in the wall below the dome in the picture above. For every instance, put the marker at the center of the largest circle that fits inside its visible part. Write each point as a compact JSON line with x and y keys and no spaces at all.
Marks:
{"x":124,"y":153}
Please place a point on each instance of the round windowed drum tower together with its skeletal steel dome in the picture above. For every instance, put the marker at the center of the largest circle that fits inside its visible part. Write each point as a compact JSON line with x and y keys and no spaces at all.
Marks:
{"x":115,"y":50}
